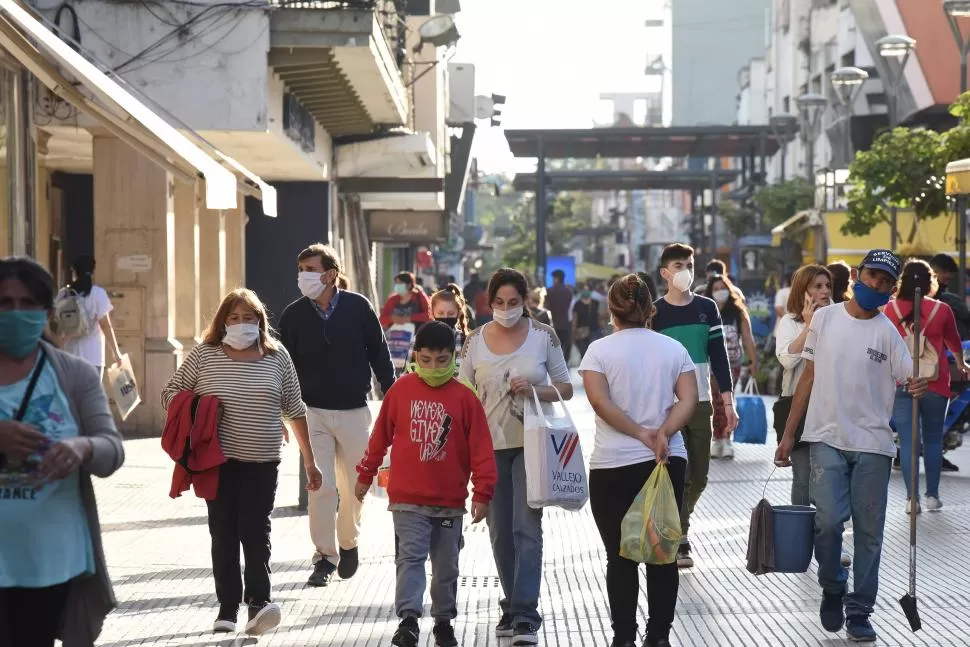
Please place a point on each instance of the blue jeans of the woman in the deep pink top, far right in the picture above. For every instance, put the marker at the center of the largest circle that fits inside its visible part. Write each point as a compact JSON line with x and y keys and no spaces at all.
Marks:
{"x":932,"y":413}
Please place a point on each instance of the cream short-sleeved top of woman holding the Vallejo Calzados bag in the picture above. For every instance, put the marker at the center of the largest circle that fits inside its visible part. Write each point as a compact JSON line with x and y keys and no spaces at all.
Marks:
{"x":538,"y":359}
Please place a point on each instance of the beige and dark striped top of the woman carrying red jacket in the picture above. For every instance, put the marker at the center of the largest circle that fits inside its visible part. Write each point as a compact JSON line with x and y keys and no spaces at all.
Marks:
{"x":255,"y":396}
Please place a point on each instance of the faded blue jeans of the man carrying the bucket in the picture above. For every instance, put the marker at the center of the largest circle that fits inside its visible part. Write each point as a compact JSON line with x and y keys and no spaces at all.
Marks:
{"x":849,"y":485}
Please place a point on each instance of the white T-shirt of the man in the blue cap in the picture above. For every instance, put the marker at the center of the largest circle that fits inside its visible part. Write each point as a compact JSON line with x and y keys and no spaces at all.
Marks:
{"x":857,"y":365}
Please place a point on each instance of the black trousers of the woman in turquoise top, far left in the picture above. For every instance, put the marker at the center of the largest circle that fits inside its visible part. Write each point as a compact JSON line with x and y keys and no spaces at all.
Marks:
{"x":30,"y":617}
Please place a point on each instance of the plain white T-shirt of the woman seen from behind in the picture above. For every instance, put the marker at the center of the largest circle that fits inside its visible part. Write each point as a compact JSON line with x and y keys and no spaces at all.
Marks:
{"x":641,"y":368}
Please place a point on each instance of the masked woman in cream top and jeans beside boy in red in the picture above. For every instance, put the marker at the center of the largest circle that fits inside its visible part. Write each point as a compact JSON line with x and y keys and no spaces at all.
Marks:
{"x":504,"y":360}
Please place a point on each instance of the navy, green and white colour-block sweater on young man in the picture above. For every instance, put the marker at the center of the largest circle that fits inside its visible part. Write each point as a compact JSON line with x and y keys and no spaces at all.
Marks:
{"x":698,"y":327}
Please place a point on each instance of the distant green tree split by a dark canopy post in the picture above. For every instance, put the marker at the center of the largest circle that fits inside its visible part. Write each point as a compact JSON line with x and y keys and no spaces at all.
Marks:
{"x":570,"y":213}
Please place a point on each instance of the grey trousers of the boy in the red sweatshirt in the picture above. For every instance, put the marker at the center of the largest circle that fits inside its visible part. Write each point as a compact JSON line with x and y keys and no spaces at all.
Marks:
{"x":416,"y":536}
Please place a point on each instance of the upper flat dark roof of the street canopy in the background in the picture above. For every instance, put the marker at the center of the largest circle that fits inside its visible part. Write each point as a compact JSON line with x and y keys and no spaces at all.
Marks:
{"x":676,"y":141}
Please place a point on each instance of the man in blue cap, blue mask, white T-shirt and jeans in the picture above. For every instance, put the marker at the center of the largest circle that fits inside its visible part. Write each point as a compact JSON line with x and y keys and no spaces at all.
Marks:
{"x":858,"y":358}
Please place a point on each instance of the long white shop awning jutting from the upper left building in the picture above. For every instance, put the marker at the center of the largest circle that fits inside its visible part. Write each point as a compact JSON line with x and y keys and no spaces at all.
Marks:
{"x":187,"y":156}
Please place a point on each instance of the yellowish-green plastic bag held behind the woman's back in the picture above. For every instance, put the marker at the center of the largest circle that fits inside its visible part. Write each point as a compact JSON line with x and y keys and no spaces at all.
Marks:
{"x":650,"y":530}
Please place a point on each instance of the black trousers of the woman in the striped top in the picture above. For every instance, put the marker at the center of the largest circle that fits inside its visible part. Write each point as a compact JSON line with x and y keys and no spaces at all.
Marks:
{"x":240,"y":514}
